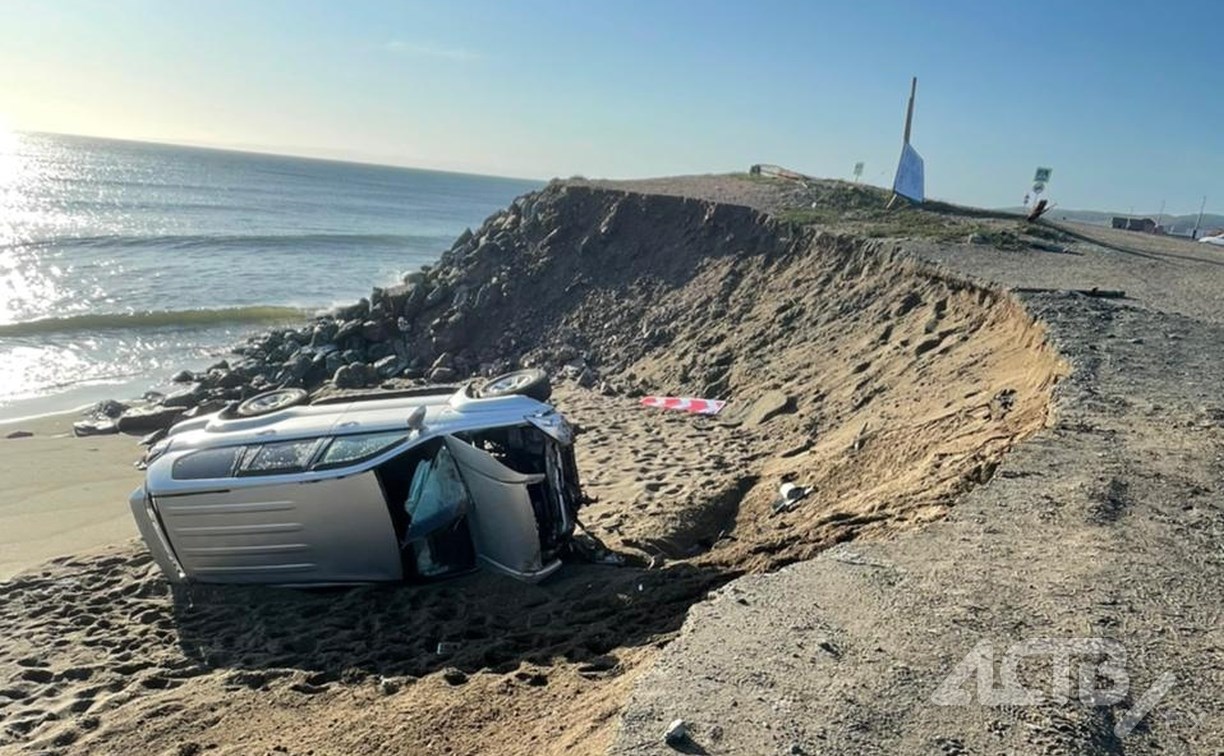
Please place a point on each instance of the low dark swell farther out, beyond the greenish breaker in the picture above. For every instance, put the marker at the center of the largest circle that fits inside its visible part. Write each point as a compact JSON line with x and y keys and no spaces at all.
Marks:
{"x":238,"y":242}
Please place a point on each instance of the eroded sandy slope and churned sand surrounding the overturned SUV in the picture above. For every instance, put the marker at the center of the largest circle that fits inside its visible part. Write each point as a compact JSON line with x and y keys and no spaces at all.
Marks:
{"x":888,"y":387}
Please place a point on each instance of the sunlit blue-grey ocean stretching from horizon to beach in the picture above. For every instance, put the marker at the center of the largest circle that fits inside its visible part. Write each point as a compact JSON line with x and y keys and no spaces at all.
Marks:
{"x":124,"y":262}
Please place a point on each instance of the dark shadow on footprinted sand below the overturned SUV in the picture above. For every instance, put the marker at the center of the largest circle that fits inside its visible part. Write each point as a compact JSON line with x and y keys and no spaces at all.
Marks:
{"x":477,"y":623}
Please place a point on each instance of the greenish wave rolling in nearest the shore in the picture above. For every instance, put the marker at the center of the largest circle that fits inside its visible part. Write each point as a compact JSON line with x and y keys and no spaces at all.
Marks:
{"x":160,"y":319}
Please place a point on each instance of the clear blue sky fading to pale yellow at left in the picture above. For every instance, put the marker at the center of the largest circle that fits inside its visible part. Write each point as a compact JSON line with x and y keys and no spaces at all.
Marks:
{"x":1122,"y":100}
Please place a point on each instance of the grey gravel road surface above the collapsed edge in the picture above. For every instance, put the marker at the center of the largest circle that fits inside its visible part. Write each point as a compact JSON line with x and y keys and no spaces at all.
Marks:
{"x":1107,"y":527}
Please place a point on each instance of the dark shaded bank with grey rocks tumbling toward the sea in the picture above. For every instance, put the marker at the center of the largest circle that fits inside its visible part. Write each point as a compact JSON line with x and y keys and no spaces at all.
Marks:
{"x":561,"y":280}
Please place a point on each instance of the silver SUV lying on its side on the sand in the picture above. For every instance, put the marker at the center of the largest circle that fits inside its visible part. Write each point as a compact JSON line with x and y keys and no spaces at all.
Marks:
{"x":401,"y":486}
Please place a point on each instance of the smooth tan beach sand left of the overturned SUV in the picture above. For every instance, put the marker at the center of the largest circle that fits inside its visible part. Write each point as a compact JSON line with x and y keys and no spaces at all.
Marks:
{"x":62,"y":495}
